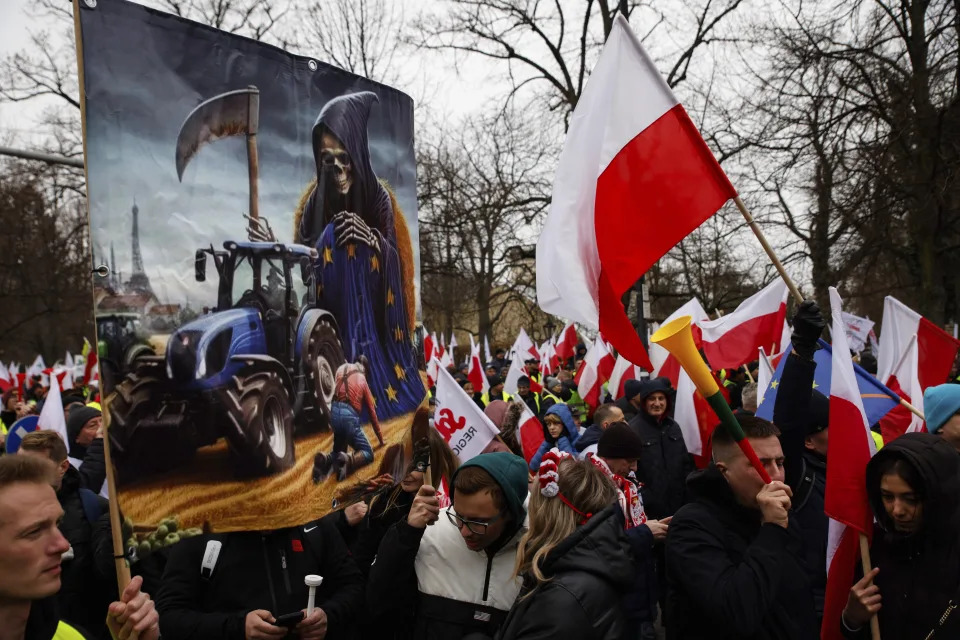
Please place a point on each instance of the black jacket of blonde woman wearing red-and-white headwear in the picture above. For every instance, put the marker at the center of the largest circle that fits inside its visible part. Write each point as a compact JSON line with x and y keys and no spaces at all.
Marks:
{"x":590,"y":570}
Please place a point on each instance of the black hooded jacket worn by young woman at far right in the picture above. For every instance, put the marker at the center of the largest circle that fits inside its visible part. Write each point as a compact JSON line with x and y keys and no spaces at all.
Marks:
{"x":919,"y":573}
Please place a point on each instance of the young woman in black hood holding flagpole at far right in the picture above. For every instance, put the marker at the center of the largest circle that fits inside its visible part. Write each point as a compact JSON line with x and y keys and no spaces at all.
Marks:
{"x":913,"y":485}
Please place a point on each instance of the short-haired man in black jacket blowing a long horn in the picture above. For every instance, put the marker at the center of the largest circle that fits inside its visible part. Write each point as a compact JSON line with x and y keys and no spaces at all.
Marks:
{"x":734,"y":553}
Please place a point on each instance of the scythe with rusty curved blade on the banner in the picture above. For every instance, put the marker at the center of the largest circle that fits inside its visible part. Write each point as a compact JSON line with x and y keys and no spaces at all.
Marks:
{"x":228,"y":114}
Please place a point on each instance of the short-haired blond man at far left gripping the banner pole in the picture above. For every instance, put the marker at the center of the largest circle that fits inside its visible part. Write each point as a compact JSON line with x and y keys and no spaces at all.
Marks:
{"x":30,"y":564}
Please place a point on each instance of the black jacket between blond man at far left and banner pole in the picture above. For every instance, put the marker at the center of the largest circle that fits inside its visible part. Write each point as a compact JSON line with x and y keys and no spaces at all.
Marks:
{"x":88,"y":582}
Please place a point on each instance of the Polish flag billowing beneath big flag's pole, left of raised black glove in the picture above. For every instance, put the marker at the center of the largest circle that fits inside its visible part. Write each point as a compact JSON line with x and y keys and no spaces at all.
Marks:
{"x":733,"y":340}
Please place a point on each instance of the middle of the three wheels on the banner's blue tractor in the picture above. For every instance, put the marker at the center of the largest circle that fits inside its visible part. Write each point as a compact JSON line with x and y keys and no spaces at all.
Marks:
{"x":261,"y":409}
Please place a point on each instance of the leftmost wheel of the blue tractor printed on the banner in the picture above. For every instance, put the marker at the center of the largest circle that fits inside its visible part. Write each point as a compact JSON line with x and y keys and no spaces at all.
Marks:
{"x":141,"y":451}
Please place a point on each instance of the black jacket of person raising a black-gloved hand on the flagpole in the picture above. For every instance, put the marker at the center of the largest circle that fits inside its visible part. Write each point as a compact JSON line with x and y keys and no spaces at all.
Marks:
{"x":806,"y":471}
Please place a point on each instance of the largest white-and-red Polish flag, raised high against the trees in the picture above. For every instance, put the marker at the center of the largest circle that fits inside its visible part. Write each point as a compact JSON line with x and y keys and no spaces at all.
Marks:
{"x":633,"y":160}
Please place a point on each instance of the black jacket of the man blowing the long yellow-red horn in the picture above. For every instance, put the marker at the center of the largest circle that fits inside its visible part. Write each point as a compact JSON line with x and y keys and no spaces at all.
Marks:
{"x":729,"y":576}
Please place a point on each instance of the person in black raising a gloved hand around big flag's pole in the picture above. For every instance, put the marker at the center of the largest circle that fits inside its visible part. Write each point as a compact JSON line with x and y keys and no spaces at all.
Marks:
{"x":802,"y":414}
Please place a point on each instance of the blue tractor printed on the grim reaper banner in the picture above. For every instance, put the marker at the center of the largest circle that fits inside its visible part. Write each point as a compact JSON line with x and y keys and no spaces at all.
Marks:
{"x":256,"y":370}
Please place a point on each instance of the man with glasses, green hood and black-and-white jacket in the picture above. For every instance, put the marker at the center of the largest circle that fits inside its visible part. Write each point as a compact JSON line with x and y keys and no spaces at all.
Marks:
{"x":446,"y":575}
